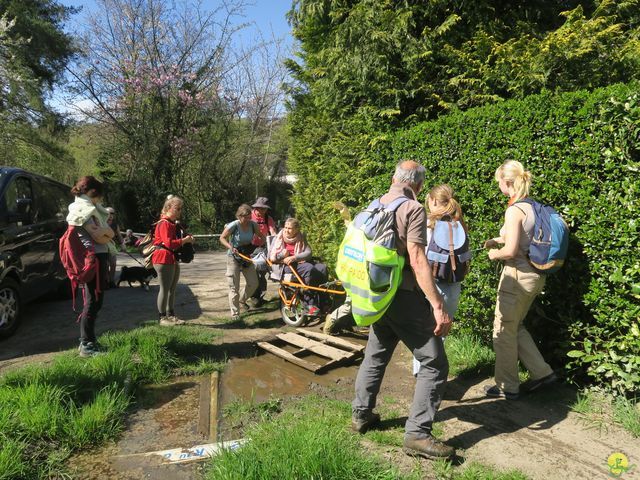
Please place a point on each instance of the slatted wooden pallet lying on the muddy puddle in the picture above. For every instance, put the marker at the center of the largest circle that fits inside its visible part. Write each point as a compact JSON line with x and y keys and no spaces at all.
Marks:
{"x":337,"y":350}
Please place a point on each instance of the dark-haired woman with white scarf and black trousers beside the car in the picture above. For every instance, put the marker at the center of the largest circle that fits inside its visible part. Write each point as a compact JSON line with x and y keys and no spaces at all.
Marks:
{"x":88,"y":218}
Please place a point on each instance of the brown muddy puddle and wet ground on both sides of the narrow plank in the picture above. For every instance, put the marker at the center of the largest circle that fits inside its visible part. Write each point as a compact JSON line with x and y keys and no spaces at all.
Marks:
{"x":167,"y":416}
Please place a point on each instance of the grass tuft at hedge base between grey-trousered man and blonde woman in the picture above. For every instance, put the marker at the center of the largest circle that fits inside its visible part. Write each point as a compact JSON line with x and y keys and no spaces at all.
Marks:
{"x":468,"y":356}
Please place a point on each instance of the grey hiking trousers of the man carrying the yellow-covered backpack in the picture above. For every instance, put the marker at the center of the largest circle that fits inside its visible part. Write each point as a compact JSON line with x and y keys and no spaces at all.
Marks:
{"x":410,"y":320}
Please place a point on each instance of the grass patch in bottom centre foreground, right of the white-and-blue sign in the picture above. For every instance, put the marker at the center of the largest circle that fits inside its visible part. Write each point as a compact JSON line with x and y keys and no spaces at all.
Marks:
{"x":309,"y":439}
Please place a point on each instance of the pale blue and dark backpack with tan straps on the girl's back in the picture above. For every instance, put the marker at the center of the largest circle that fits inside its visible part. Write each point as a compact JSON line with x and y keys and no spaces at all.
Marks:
{"x":448,"y":251}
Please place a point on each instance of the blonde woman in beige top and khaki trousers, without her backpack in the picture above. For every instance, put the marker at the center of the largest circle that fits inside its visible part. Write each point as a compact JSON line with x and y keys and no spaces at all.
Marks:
{"x":519,"y":285}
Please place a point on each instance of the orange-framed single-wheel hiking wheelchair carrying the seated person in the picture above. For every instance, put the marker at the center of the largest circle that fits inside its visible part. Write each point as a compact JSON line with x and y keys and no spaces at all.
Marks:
{"x":291,"y":290}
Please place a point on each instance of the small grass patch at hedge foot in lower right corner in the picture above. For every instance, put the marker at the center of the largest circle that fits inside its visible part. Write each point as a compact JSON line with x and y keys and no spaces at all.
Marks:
{"x":599,"y":410}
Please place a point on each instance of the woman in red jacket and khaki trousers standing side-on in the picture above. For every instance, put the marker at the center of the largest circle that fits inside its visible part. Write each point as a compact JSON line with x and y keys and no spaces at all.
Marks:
{"x":168,"y":239}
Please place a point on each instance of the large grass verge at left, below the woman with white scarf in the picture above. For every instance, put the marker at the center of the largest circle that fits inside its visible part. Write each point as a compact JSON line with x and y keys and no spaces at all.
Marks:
{"x":48,"y":412}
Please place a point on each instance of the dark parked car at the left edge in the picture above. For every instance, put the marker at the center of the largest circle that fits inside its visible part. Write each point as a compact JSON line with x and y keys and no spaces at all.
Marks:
{"x":33,"y":211}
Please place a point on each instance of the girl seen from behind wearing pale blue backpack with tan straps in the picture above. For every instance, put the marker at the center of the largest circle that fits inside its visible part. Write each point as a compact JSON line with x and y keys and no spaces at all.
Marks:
{"x":449,"y":266}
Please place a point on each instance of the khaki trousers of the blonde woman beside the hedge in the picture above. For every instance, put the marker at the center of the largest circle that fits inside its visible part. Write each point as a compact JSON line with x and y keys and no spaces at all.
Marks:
{"x":518,"y":287}
